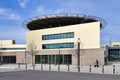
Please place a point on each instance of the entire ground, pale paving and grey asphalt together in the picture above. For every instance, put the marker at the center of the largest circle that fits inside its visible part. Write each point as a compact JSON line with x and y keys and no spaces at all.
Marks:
{"x":12,"y":72}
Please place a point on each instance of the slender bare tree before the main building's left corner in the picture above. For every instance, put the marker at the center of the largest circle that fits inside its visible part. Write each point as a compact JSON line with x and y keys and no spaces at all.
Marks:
{"x":32,"y":50}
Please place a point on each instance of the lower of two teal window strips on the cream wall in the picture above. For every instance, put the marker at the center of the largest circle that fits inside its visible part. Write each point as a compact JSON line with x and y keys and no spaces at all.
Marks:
{"x":58,"y":45}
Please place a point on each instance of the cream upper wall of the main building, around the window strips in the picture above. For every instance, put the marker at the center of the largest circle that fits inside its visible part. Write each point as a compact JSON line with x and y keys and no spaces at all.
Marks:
{"x":89,"y":34}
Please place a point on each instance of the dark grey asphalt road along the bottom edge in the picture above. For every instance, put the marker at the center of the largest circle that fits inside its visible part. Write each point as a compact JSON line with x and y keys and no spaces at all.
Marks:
{"x":45,"y":75}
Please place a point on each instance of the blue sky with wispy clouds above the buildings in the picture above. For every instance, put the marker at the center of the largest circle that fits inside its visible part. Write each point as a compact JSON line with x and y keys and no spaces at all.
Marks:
{"x":14,"y":12}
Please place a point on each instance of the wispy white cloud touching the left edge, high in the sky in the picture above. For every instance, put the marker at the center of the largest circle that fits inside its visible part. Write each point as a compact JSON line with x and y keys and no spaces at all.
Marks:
{"x":8,"y":14}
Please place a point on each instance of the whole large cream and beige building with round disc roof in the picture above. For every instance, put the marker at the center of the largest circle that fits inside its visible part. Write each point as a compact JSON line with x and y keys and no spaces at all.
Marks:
{"x":56,"y":39}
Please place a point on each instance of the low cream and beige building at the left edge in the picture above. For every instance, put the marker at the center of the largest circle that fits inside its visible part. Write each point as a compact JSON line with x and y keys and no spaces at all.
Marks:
{"x":11,"y":52}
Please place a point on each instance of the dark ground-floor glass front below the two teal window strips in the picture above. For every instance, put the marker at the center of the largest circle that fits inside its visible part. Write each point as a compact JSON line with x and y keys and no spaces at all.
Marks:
{"x":53,"y":59}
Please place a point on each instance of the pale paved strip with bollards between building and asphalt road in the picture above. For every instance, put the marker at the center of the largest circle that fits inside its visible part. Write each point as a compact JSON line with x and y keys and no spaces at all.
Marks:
{"x":63,"y":68}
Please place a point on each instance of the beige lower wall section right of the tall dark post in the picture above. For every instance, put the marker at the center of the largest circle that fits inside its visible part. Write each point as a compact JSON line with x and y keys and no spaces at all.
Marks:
{"x":89,"y":56}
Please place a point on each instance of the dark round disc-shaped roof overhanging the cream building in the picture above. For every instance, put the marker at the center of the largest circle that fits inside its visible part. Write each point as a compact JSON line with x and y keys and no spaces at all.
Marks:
{"x":43,"y":22}
